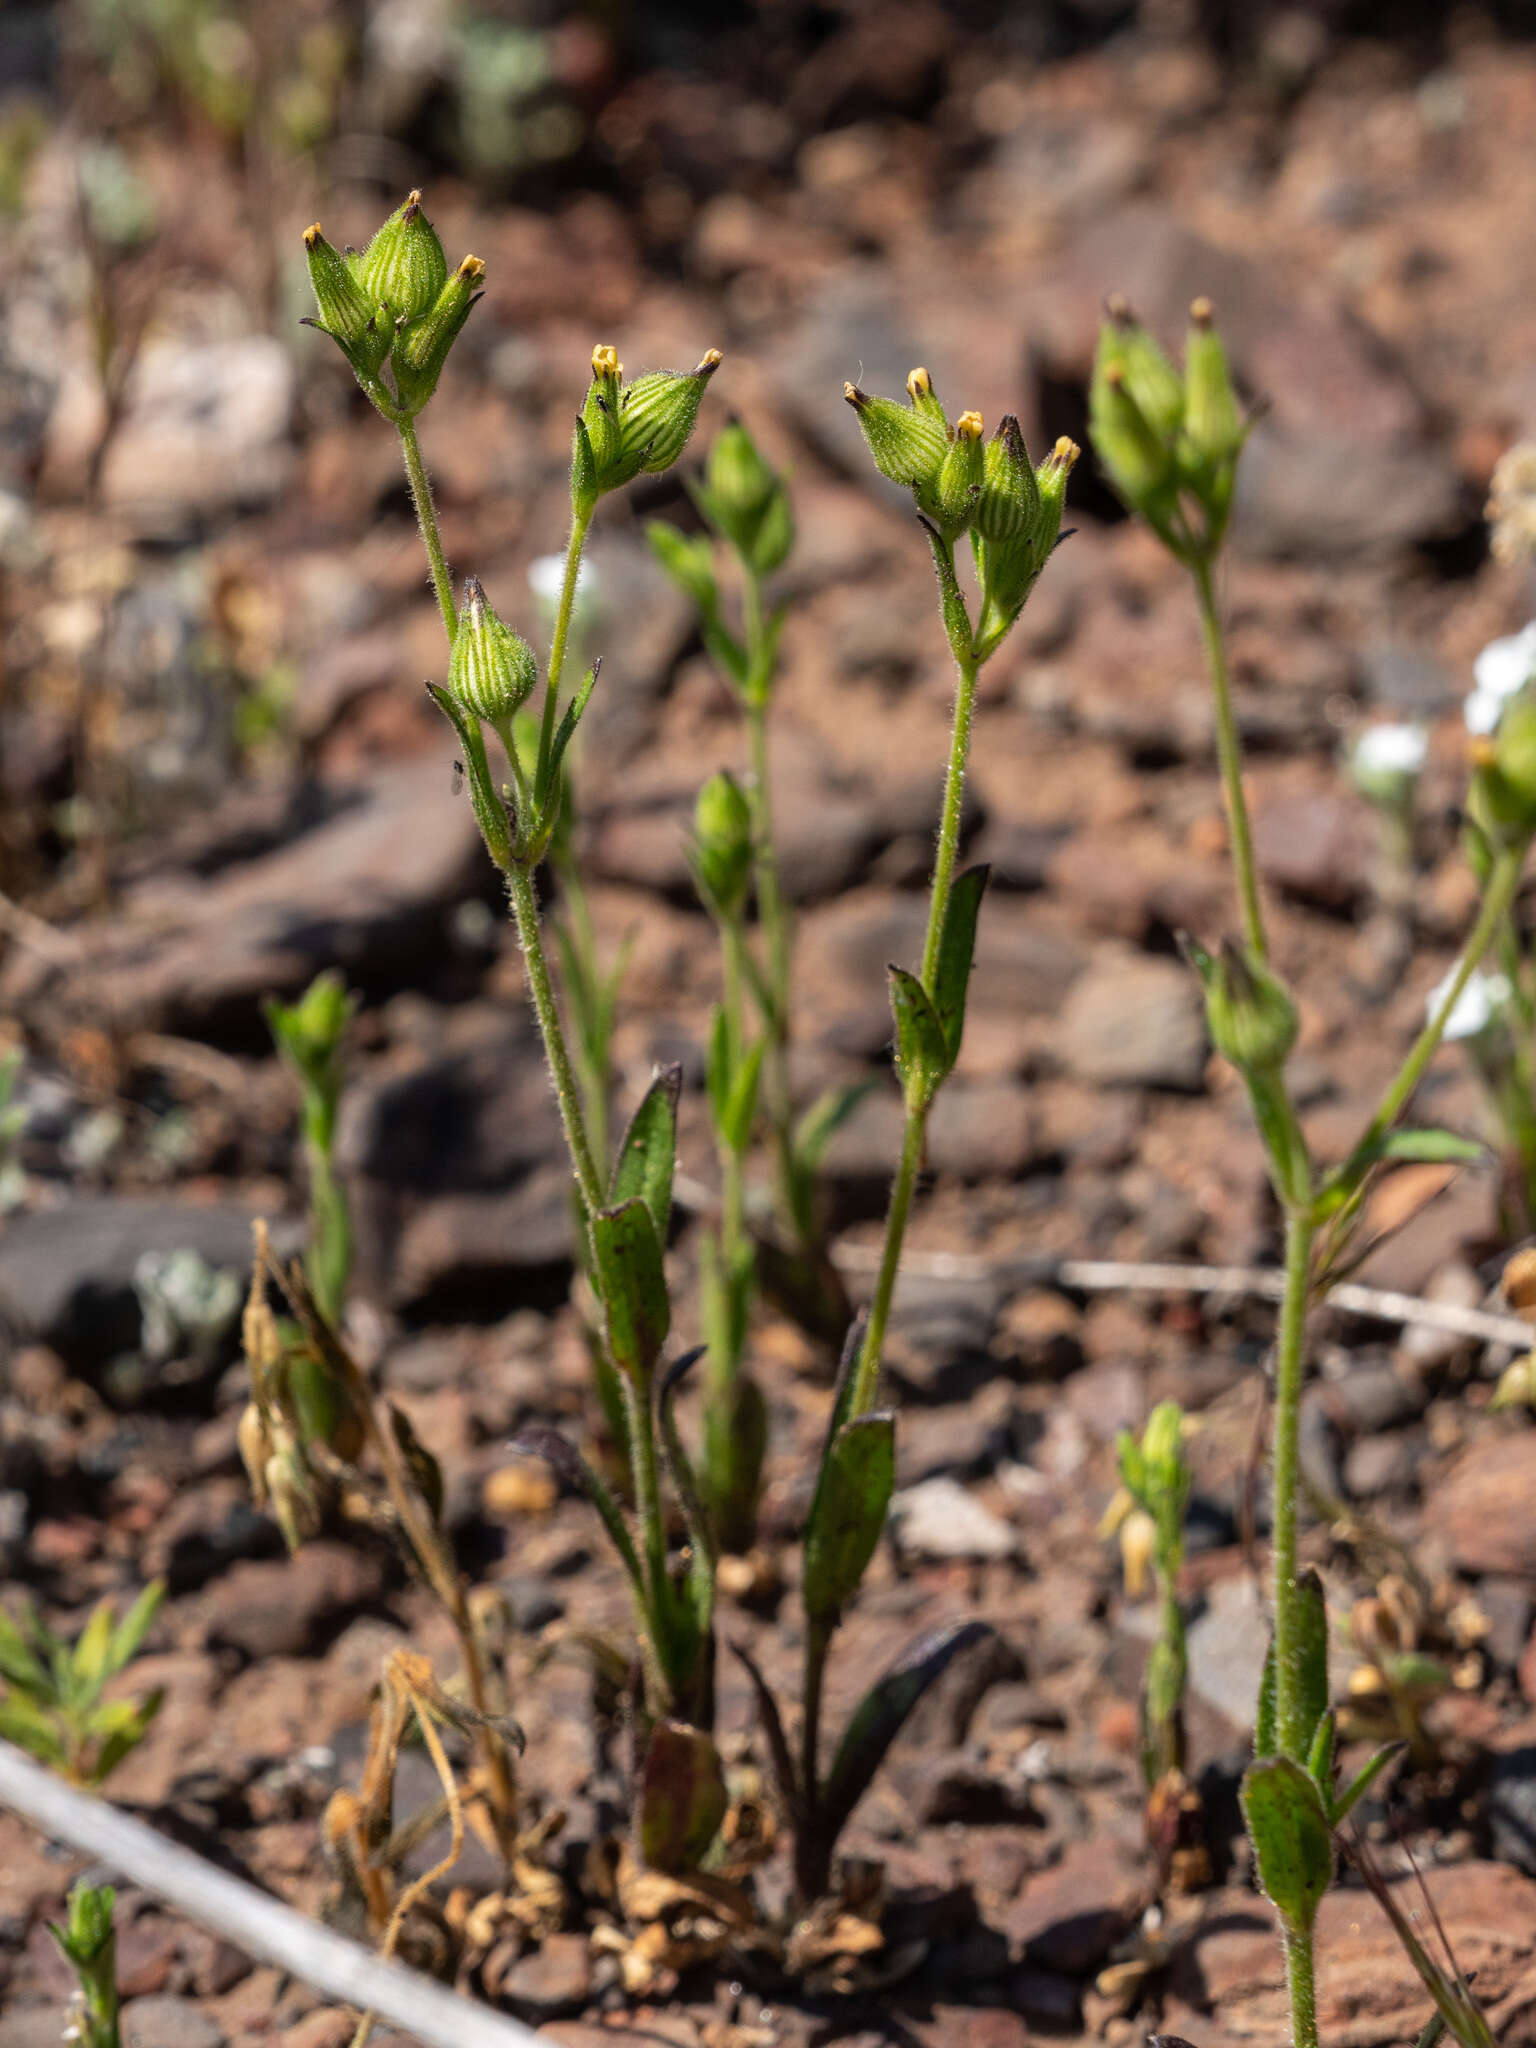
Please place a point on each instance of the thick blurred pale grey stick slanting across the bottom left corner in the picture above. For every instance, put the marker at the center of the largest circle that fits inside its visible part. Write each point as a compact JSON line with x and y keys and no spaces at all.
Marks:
{"x":257,"y":1924}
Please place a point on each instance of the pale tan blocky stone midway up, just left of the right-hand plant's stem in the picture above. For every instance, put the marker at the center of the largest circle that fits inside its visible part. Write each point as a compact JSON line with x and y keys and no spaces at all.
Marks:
{"x":1134,"y":1023}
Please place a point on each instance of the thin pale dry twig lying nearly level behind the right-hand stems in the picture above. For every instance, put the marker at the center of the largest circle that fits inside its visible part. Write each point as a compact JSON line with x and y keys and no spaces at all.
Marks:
{"x":1136,"y":1277}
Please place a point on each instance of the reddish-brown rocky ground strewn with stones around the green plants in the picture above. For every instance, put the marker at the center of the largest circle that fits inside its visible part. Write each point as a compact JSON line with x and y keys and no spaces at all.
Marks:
{"x":222,"y":775}
